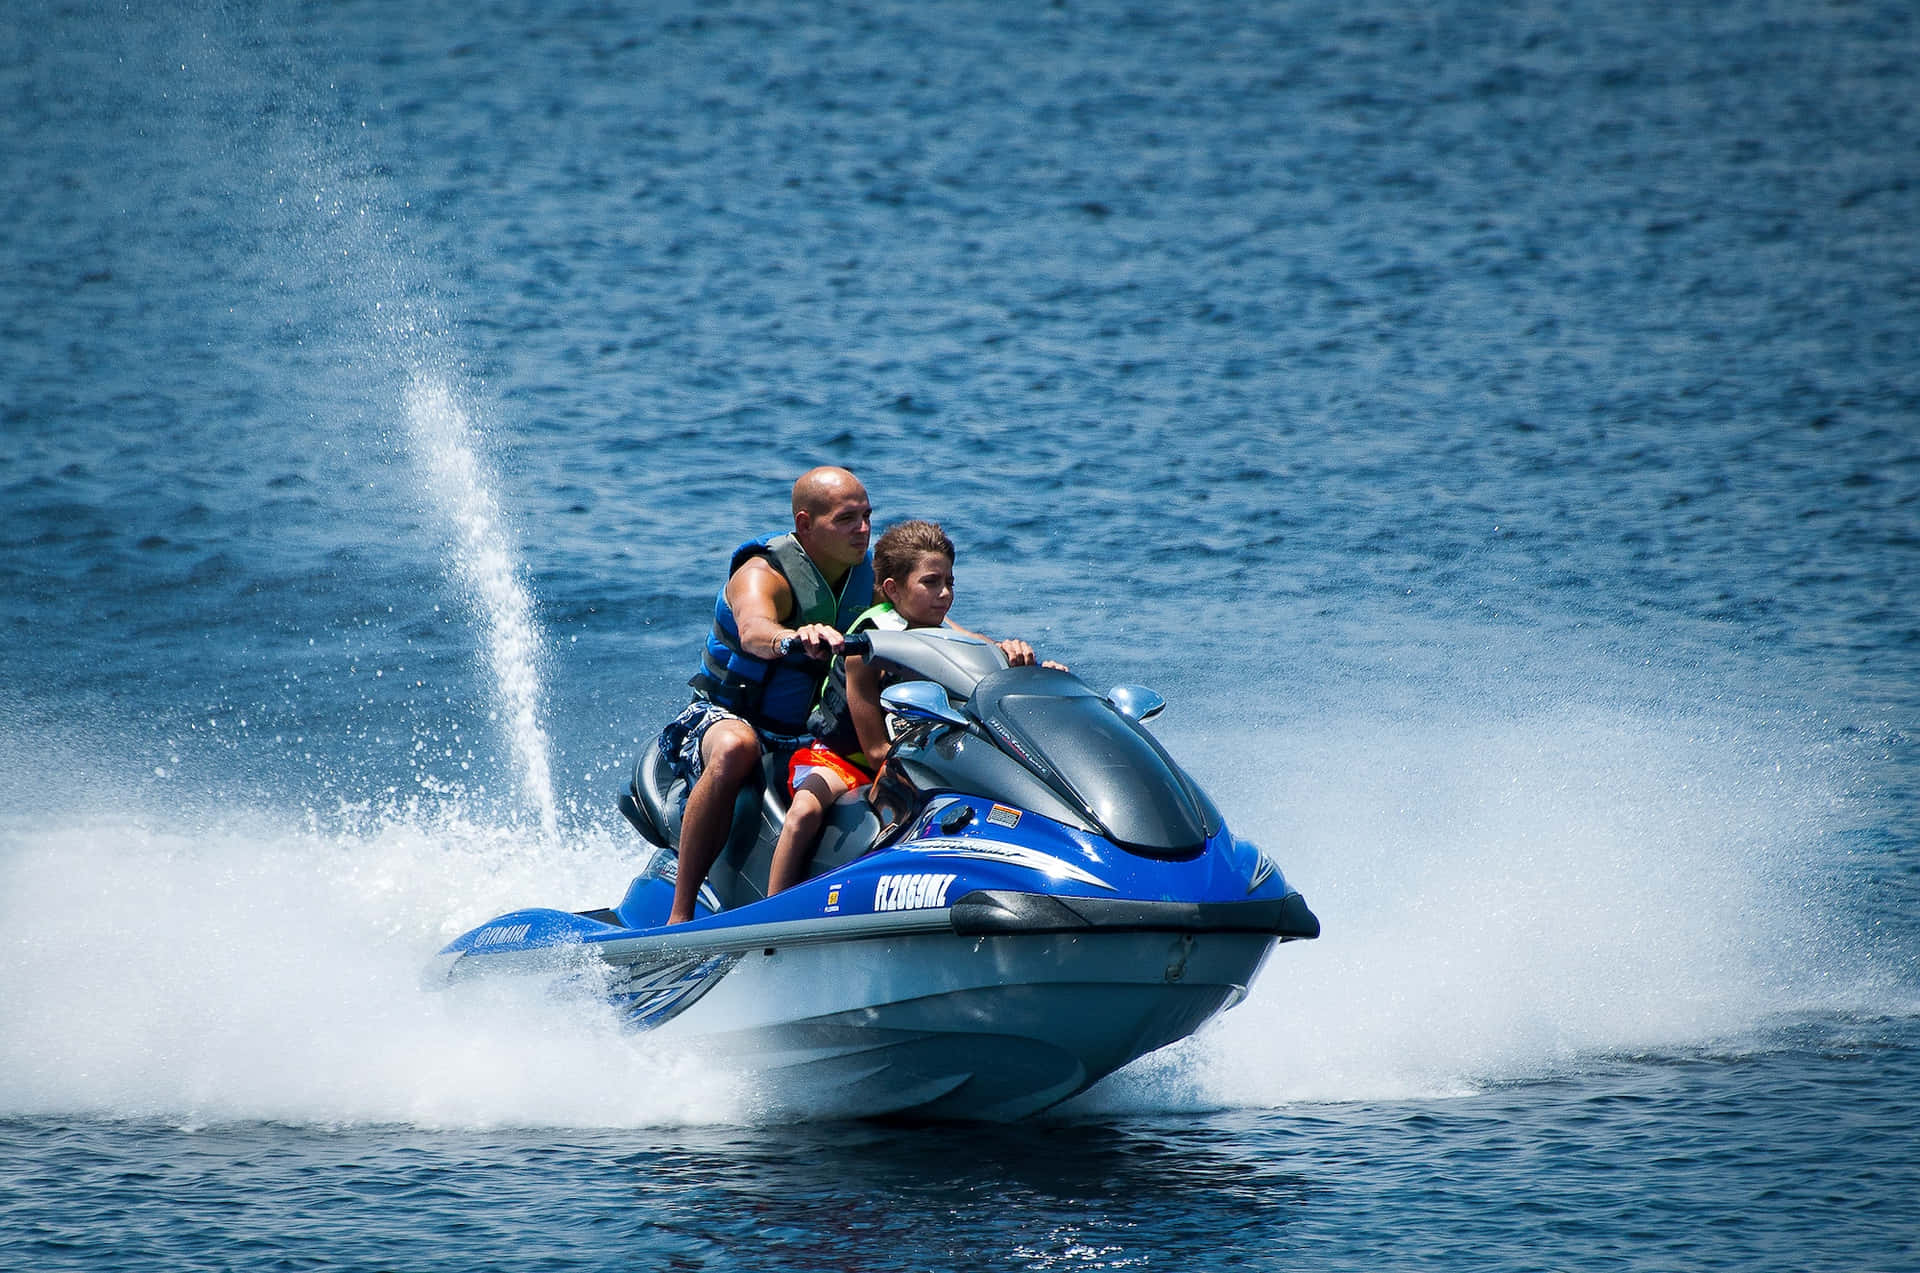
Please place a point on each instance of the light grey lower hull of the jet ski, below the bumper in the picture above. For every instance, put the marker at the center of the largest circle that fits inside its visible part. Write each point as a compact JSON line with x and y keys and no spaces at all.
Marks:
{"x":969,"y":1028}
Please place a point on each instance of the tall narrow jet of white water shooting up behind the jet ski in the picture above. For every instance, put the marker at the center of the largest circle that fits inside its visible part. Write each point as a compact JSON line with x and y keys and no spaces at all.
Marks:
{"x":464,"y":491}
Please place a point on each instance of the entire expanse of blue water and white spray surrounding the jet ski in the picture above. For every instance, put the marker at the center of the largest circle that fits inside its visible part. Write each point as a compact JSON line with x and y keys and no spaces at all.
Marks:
{"x":1499,"y":433}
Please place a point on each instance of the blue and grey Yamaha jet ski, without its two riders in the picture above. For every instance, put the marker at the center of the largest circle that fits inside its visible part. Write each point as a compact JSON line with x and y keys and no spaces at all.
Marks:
{"x":1034,"y":896}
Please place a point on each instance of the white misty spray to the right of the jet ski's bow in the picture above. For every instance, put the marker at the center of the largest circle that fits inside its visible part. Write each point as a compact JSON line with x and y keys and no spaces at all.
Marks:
{"x":1514,"y":900}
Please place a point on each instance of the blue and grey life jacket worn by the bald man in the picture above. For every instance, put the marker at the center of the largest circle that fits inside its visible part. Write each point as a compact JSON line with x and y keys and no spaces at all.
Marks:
{"x":777,"y":694}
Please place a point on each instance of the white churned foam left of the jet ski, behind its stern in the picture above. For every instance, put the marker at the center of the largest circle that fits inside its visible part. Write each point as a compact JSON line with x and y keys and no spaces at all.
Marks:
{"x":228,"y":969}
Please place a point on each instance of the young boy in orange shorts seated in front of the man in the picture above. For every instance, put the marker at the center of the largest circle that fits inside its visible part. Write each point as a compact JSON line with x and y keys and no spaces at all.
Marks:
{"x":915,"y":588}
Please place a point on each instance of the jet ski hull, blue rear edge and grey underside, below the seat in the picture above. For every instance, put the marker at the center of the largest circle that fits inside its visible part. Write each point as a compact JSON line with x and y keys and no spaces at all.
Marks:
{"x":994,"y":1007}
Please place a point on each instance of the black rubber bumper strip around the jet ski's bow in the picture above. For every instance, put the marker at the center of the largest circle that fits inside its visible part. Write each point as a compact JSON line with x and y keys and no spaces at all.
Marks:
{"x":997,"y":911}
